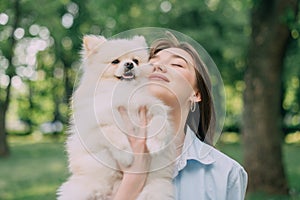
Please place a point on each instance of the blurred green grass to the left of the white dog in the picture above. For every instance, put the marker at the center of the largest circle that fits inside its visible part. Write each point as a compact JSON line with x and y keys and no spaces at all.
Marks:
{"x":33,"y":171}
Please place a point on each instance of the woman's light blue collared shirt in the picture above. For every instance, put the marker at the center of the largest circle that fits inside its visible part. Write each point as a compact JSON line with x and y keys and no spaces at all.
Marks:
{"x":204,"y":173}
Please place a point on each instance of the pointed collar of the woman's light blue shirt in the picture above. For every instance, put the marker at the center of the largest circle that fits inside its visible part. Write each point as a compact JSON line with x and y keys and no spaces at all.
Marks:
{"x":194,"y":149}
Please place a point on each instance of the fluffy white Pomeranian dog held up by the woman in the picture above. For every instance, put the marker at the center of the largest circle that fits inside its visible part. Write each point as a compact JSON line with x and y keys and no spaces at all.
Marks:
{"x":115,"y":74}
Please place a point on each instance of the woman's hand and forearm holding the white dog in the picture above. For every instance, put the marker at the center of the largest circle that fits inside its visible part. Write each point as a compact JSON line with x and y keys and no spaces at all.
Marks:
{"x":135,"y":176}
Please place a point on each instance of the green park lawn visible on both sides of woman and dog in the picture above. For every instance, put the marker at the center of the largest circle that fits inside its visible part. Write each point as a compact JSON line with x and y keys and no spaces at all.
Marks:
{"x":35,"y":170}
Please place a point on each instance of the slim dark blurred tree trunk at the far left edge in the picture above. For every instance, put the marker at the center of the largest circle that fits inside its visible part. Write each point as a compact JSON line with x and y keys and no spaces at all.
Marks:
{"x":7,"y":49}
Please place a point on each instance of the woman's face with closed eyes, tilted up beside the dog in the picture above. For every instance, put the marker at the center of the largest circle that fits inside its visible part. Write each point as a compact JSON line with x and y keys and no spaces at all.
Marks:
{"x":173,"y":76}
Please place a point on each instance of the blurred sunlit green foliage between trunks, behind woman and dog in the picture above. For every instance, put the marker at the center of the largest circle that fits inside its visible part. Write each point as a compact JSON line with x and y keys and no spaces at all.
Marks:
{"x":49,"y":42}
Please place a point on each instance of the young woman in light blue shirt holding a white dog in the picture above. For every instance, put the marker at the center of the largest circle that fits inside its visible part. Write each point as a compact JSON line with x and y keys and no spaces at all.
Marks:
{"x":180,"y":79}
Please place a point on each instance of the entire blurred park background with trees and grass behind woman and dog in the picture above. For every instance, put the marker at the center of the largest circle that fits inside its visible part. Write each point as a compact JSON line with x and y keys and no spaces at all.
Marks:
{"x":254,"y":43}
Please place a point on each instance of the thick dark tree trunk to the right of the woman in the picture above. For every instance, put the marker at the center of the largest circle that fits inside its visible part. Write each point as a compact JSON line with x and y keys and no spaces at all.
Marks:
{"x":262,"y":120}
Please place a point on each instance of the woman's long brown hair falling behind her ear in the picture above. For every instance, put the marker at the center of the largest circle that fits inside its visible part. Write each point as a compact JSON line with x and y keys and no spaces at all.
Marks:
{"x":202,"y":124}
